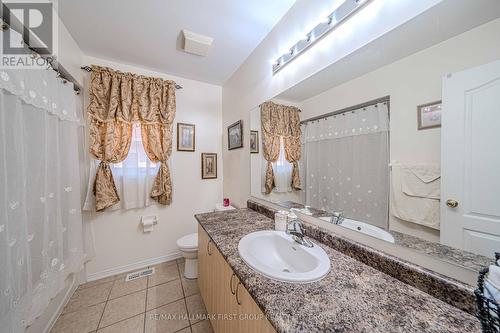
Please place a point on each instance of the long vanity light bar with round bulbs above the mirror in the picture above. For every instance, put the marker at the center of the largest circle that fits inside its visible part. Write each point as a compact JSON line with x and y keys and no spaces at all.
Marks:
{"x":329,"y":23}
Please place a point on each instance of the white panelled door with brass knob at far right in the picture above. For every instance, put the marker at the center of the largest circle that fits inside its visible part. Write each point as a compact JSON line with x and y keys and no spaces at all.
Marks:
{"x":470,"y":145}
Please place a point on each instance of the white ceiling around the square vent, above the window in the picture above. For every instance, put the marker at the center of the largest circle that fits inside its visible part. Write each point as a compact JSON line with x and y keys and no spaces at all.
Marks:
{"x":148,"y":33}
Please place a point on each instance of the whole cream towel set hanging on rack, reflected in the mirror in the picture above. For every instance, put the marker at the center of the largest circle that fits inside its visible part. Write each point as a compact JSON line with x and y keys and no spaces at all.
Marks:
{"x":413,"y":202}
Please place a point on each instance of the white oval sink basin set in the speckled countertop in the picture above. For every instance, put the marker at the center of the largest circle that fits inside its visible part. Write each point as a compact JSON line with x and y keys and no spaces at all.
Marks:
{"x":277,"y":256}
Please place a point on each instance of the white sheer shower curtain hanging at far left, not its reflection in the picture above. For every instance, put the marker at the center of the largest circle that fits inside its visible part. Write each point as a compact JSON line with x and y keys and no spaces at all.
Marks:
{"x":40,"y":214}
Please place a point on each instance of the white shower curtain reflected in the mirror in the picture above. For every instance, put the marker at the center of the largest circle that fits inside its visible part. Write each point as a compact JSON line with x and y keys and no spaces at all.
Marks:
{"x":347,"y":164}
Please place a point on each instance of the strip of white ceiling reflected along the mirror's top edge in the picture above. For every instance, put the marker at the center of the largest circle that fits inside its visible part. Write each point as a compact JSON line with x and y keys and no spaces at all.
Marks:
{"x":441,"y":22}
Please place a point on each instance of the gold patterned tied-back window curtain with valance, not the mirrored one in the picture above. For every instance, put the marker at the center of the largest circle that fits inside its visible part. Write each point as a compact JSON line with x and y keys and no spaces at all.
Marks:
{"x":117,"y":101}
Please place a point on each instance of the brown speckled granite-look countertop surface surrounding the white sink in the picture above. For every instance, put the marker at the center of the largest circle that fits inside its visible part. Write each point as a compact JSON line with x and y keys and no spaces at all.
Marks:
{"x":353,"y":297}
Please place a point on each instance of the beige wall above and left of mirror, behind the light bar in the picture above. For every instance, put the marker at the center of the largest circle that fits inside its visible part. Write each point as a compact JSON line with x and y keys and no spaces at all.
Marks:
{"x":253,"y":82}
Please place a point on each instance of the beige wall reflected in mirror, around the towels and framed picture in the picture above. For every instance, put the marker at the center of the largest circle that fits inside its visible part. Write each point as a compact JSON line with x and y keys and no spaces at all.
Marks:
{"x":412,"y":81}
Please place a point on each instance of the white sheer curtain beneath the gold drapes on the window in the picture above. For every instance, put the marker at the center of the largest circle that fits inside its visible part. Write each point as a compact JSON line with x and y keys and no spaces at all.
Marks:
{"x":133,"y":177}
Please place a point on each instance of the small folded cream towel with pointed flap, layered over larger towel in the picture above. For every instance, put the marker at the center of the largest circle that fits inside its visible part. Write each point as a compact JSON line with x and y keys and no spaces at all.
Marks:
{"x":421,"y":180}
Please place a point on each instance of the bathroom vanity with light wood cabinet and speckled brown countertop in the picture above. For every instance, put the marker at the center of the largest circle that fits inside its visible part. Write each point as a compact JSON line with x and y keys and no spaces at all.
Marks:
{"x":352,"y":297}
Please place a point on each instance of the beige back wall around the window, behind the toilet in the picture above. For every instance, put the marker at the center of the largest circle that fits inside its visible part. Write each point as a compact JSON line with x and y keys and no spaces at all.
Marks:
{"x":120,"y":243}
